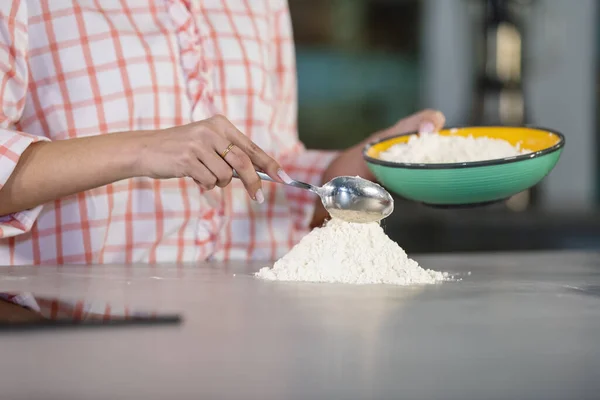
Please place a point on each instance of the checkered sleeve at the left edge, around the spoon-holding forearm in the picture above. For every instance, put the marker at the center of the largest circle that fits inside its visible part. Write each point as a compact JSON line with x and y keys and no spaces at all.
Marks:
{"x":13,"y":91}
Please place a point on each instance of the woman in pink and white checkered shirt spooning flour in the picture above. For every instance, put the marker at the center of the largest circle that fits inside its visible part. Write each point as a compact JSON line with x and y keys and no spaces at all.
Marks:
{"x":121,"y":122}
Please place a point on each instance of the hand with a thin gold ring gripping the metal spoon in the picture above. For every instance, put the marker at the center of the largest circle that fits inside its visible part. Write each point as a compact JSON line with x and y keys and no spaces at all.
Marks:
{"x":196,"y":150}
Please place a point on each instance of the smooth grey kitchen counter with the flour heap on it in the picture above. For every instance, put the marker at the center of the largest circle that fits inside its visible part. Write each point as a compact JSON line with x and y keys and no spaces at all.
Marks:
{"x":519,"y":326}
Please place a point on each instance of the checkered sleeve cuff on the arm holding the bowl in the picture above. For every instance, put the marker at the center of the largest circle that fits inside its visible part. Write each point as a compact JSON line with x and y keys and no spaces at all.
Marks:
{"x":306,"y":166}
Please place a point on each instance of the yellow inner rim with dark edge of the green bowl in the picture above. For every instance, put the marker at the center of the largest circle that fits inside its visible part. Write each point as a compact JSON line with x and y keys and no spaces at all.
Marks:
{"x":484,"y":163}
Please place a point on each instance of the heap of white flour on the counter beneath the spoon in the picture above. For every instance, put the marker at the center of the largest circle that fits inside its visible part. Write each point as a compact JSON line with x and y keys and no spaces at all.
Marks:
{"x":345,"y":252}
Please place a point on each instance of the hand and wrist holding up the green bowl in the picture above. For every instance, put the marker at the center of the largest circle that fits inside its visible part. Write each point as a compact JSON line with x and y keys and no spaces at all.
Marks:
{"x":351,"y":162}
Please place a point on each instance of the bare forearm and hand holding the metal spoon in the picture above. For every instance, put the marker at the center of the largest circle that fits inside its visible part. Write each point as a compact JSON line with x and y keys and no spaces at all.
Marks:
{"x":47,"y":171}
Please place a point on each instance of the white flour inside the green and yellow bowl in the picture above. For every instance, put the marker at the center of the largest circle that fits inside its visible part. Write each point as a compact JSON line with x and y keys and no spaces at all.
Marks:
{"x":438,"y":149}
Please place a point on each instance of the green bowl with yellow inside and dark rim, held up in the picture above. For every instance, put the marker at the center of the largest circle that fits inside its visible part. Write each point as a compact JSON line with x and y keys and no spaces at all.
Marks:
{"x":470,"y":183}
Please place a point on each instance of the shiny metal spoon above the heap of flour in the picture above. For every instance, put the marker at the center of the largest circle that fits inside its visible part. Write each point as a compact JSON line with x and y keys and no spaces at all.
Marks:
{"x":350,"y":198}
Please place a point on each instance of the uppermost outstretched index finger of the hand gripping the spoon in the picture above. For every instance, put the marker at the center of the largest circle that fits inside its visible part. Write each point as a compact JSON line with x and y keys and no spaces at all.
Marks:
{"x":257,"y":156}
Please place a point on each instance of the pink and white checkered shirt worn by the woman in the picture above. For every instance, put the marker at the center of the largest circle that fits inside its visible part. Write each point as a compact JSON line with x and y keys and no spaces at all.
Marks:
{"x":76,"y":68}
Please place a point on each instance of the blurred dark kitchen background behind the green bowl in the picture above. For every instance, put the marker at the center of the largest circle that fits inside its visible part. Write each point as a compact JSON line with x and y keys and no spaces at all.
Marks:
{"x":364,"y":64}
